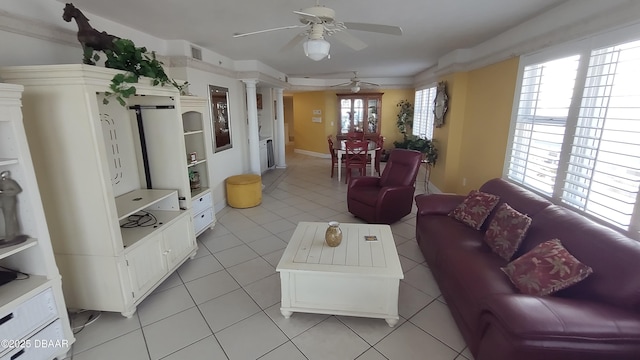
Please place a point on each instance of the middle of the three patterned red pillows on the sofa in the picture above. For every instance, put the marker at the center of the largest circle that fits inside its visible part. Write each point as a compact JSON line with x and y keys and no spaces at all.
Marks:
{"x":506,"y":231}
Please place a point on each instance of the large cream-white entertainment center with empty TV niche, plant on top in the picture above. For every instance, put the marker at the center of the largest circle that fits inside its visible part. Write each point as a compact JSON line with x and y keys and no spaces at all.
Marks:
{"x":114,"y":180}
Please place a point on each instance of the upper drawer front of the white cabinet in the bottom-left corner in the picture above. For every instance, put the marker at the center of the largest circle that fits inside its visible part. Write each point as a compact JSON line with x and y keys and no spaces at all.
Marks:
{"x":28,"y":316}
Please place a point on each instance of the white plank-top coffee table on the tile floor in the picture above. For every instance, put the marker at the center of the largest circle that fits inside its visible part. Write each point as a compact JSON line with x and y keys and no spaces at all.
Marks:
{"x":356,"y":278}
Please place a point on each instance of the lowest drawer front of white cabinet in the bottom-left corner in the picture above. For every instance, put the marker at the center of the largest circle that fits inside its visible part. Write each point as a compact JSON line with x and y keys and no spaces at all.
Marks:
{"x":46,"y":344}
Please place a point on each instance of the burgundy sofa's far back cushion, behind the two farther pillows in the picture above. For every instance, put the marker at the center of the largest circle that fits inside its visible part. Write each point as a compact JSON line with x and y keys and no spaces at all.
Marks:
{"x":519,"y":198}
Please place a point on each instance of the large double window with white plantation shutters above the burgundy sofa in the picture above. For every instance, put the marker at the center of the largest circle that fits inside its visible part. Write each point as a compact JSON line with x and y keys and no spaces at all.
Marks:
{"x":575,"y":132}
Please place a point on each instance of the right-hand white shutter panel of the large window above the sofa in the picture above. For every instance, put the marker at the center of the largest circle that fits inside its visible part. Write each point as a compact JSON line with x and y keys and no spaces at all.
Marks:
{"x":603,"y":173}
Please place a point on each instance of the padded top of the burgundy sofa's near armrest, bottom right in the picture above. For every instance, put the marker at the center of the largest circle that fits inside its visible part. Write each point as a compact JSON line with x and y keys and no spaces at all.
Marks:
{"x":551,"y":318}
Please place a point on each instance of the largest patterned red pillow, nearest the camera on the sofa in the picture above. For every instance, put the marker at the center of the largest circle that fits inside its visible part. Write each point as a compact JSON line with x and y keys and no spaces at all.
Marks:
{"x":545,"y":269}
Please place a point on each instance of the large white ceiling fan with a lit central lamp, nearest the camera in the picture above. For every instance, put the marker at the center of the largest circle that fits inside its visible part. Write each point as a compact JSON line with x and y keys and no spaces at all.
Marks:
{"x":319,"y":21}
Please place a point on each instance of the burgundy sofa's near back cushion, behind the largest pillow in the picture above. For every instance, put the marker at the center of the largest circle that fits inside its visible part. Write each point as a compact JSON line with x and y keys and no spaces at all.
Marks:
{"x":614,"y":258}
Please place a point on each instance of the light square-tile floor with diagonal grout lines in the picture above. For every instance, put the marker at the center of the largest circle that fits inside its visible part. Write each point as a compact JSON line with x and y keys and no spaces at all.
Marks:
{"x":225,"y":303}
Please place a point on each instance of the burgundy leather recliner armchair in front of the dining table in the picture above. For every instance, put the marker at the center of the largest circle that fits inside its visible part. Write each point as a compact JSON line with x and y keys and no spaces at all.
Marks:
{"x":388,"y":198}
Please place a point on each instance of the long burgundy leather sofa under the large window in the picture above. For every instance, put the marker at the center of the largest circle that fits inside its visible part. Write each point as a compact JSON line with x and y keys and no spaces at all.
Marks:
{"x":598,"y":318}
